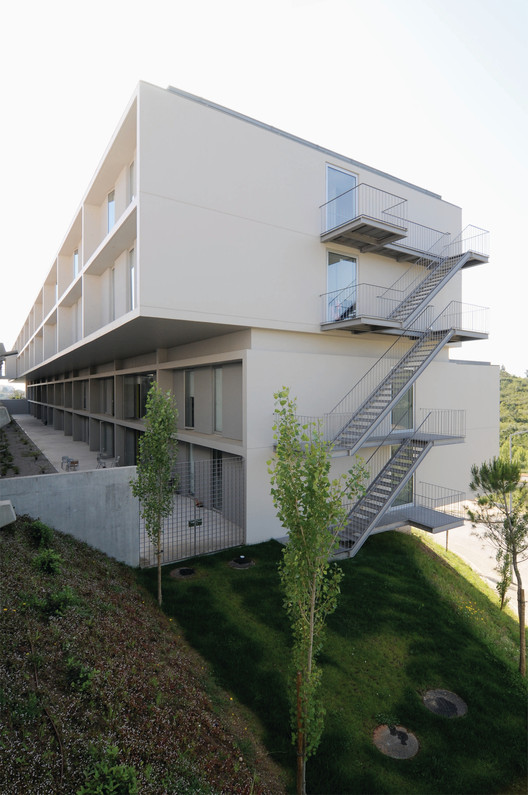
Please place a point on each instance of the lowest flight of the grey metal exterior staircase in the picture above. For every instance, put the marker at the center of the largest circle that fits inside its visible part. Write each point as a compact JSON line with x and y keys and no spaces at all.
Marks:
{"x":380,"y":495}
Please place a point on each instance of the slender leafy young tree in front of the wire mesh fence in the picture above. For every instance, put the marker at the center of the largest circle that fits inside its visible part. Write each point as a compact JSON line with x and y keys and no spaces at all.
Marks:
{"x":154,"y":485}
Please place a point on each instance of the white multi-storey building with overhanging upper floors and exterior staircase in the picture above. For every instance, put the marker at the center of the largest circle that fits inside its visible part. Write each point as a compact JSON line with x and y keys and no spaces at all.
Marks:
{"x":224,"y":259}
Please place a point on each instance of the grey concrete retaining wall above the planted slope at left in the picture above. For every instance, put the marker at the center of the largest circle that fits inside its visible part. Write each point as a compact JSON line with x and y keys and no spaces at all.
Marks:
{"x":95,"y":506}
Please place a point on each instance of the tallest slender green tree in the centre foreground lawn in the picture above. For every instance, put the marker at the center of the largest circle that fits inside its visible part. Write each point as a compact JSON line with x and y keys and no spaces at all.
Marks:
{"x":312,"y":508}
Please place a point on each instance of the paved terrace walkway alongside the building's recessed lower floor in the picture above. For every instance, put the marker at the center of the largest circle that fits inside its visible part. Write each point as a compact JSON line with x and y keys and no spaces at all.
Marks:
{"x":54,"y":444}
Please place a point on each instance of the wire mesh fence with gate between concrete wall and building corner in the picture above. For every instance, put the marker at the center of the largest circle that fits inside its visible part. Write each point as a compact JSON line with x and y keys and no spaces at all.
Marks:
{"x":208,"y":511}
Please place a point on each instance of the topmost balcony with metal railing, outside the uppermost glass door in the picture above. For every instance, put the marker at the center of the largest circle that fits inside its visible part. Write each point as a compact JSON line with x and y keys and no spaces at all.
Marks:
{"x":365,"y":218}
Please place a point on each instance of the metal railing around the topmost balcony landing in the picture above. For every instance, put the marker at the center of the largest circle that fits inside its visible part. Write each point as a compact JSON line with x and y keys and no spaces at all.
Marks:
{"x":363,"y":201}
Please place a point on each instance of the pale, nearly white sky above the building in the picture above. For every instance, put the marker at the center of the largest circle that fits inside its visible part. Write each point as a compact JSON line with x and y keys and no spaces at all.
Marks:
{"x":431,"y":91}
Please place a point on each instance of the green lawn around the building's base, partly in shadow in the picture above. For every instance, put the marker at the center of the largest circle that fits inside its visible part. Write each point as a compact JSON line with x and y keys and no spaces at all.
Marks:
{"x":406,"y":622}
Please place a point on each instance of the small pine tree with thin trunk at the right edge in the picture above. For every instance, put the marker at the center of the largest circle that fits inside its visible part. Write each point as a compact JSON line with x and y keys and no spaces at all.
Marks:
{"x":502,"y":513}
